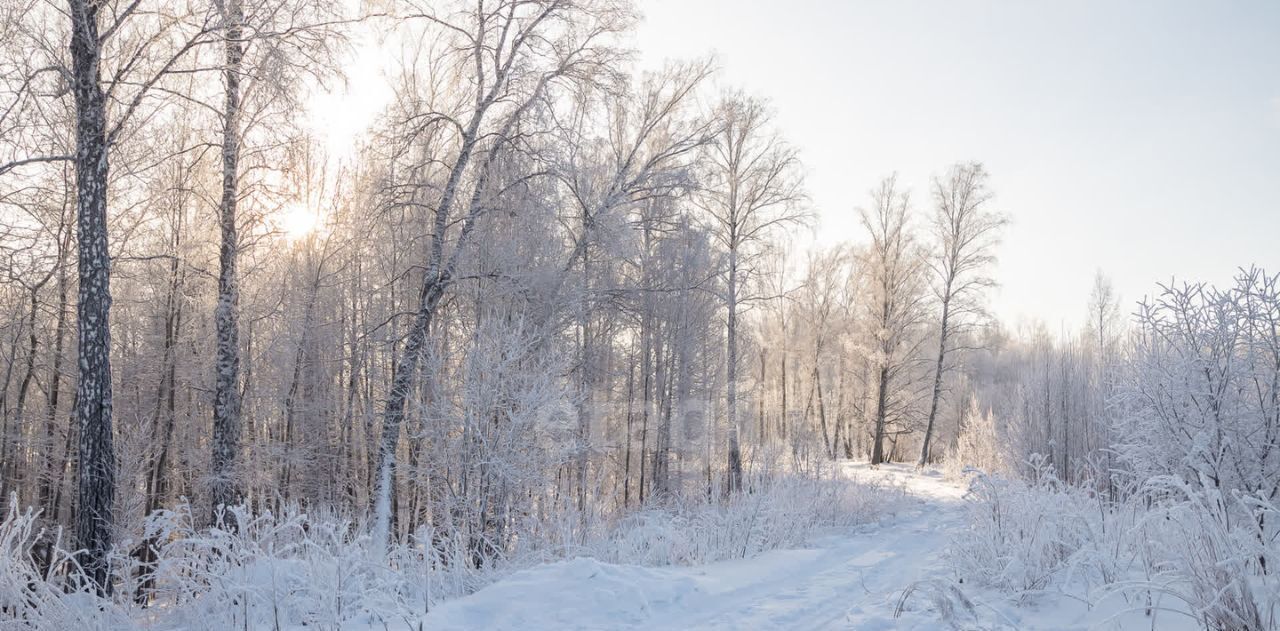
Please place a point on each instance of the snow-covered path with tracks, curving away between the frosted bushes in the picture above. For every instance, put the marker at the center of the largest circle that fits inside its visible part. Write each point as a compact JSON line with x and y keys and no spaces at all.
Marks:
{"x":849,"y":582}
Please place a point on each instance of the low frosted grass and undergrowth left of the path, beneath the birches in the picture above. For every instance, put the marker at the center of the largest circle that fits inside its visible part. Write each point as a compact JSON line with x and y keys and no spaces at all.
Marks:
{"x":272,"y":571}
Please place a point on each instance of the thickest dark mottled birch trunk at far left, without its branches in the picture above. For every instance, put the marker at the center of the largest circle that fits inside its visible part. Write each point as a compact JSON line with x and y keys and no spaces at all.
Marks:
{"x":97,"y":463}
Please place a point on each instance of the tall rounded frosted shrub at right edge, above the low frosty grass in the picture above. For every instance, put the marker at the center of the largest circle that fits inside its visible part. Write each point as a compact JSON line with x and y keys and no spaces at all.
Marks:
{"x":1201,"y":400}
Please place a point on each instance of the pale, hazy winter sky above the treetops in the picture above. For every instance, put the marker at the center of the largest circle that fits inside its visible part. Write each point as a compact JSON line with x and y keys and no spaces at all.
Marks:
{"x":1136,"y":138}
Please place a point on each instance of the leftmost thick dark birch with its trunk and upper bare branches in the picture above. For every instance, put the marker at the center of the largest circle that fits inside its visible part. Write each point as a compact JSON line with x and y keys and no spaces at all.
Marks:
{"x":120,"y":56}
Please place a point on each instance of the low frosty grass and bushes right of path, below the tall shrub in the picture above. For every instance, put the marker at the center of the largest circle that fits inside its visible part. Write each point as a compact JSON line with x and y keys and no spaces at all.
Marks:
{"x":1171,"y":546}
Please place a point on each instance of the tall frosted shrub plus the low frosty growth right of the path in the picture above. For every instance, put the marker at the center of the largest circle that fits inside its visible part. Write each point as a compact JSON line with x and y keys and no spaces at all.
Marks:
{"x":1187,"y":518}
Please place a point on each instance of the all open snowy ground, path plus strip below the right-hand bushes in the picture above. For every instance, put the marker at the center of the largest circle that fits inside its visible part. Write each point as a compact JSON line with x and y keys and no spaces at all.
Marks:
{"x":892,"y":575}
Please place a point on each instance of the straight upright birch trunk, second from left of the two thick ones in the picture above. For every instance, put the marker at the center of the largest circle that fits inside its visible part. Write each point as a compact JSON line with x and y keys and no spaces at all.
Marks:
{"x":225,"y":490}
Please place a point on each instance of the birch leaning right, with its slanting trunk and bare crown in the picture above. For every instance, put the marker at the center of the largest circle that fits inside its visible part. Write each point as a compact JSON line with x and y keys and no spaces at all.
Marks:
{"x":510,"y":56}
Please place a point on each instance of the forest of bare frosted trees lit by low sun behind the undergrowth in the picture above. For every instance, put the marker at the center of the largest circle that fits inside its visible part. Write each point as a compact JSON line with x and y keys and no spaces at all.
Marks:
{"x":546,"y":292}
